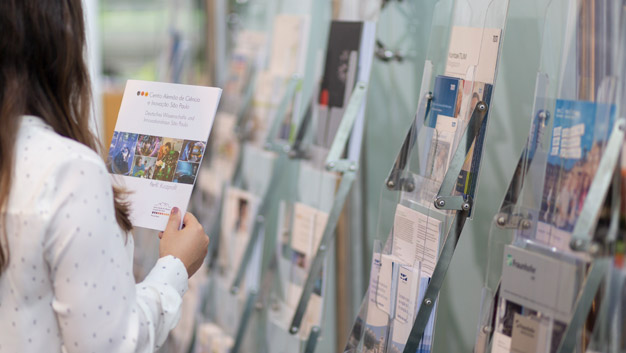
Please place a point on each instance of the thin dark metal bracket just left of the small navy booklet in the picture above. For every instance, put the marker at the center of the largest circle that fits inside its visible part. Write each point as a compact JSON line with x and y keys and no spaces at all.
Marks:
{"x":395,"y":180}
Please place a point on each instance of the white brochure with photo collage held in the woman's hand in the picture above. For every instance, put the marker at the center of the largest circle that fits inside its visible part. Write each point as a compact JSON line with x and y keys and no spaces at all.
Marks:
{"x":158,"y":144}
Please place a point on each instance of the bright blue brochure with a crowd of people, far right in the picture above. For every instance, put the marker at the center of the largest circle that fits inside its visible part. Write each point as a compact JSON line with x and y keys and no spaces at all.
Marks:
{"x":579,"y":135}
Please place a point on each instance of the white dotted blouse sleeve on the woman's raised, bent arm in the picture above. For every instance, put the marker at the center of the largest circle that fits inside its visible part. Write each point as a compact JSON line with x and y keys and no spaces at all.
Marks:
{"x":99,"y":307}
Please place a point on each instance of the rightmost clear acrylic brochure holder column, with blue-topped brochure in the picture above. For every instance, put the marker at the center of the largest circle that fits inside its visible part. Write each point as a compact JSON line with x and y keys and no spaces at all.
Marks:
{"x":551,"y":231}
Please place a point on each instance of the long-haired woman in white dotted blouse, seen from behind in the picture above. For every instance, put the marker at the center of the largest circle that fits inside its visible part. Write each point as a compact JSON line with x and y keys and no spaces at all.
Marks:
{"x":66,"y":282}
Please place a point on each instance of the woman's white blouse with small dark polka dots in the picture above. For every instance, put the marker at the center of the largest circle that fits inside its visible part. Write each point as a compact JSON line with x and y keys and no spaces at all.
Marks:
{"x":69,"y":285}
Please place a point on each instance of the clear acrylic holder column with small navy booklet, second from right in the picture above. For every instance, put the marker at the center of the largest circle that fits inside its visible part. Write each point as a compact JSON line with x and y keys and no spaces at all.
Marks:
{"x":433,"y":179}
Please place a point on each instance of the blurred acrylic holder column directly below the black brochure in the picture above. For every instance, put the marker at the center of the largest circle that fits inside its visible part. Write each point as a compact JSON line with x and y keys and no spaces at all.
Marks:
{"x":297,"y":291}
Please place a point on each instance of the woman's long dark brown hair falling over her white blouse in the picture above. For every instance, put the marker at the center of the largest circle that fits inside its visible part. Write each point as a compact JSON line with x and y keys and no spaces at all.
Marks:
{"x":43,"y":73}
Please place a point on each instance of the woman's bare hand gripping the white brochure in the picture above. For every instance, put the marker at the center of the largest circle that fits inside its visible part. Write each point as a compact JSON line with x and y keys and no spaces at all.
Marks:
{"x":189,"y":244}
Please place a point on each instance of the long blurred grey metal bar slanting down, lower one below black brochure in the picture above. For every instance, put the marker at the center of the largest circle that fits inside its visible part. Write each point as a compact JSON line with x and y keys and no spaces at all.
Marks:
{"x":320,"y":256}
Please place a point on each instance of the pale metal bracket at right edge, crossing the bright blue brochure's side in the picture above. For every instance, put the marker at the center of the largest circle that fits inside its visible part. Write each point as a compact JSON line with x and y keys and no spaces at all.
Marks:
{"x":585,"y":224}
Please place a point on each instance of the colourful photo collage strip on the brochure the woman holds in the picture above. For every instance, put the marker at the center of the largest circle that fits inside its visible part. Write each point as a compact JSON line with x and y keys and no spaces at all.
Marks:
{"x":155,"y":157}
